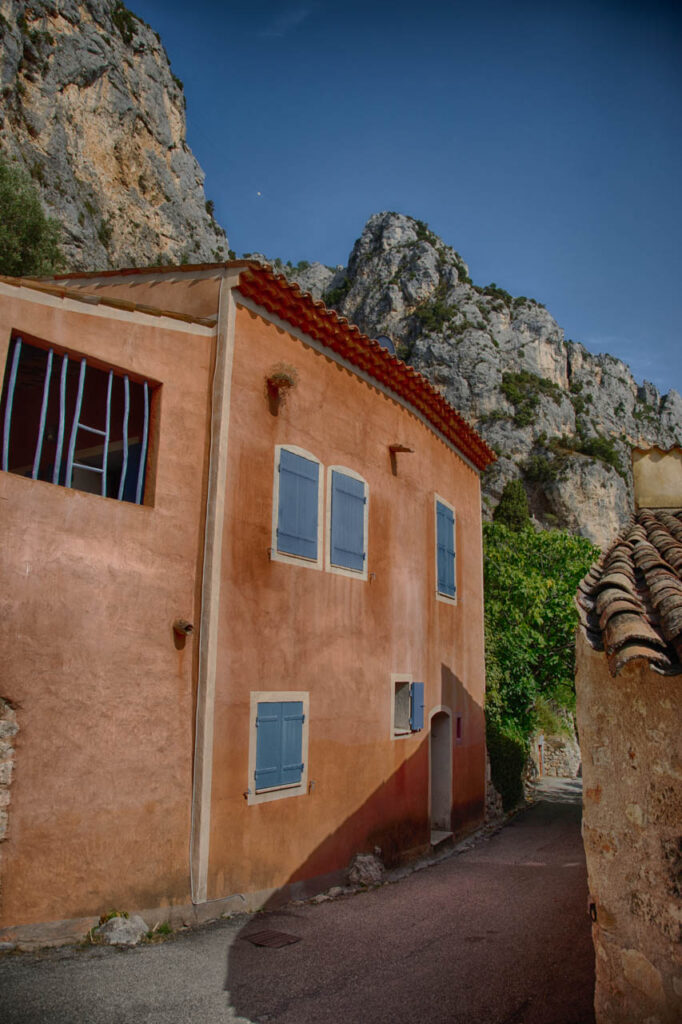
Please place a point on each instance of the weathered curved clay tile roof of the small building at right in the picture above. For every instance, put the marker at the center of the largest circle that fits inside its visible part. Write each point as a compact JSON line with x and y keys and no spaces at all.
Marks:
{"x":630,"y":604}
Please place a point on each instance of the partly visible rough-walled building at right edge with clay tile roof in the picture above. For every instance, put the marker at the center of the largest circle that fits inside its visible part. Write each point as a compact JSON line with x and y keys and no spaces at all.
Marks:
{"x":629,"y":690}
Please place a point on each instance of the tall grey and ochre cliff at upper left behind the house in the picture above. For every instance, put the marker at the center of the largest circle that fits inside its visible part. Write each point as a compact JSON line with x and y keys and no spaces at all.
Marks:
{"x":90,"y":106}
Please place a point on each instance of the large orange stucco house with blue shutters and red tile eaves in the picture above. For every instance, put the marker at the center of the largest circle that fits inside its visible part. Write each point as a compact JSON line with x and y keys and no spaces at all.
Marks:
{"x":242,"y":622}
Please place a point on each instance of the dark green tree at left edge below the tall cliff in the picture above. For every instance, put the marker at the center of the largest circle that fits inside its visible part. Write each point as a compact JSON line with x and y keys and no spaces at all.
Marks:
{"x":29,"y":240}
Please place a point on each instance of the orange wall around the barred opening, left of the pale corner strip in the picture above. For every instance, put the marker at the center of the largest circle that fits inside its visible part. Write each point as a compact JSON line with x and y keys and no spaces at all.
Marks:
{"x":101,"y":797}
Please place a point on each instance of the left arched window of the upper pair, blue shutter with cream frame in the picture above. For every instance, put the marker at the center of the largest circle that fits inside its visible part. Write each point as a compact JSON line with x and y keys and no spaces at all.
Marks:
{"x":297,"y":509}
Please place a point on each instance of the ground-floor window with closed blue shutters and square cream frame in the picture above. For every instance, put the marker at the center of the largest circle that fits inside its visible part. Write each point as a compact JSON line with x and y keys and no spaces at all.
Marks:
{"x":278,"y":746}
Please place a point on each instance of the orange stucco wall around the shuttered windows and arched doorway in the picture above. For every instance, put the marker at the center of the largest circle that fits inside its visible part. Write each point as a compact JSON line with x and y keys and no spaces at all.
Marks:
{"x":291,"y":628}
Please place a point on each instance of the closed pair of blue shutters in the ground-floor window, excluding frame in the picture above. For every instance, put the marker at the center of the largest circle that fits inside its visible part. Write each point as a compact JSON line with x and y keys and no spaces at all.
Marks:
{"x":279,"y":744}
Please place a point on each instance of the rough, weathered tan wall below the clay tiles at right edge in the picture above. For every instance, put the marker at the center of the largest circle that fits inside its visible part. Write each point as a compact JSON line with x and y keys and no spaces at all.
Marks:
{"x":632,"y":829}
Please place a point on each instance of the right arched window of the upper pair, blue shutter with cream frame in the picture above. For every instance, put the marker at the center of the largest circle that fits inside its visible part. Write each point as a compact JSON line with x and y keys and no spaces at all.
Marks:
{"x":348,"y":514}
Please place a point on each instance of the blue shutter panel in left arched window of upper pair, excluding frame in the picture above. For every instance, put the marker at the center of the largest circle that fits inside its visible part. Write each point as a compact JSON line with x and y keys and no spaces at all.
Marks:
{"x":297,"y":513}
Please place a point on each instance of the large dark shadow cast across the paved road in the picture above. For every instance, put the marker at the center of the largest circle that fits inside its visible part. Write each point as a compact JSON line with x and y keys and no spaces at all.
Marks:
{"x":497,"y":935}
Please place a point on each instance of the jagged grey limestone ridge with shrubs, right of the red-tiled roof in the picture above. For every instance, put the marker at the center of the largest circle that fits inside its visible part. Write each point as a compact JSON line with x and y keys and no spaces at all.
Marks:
{"x":562,"y":419}
